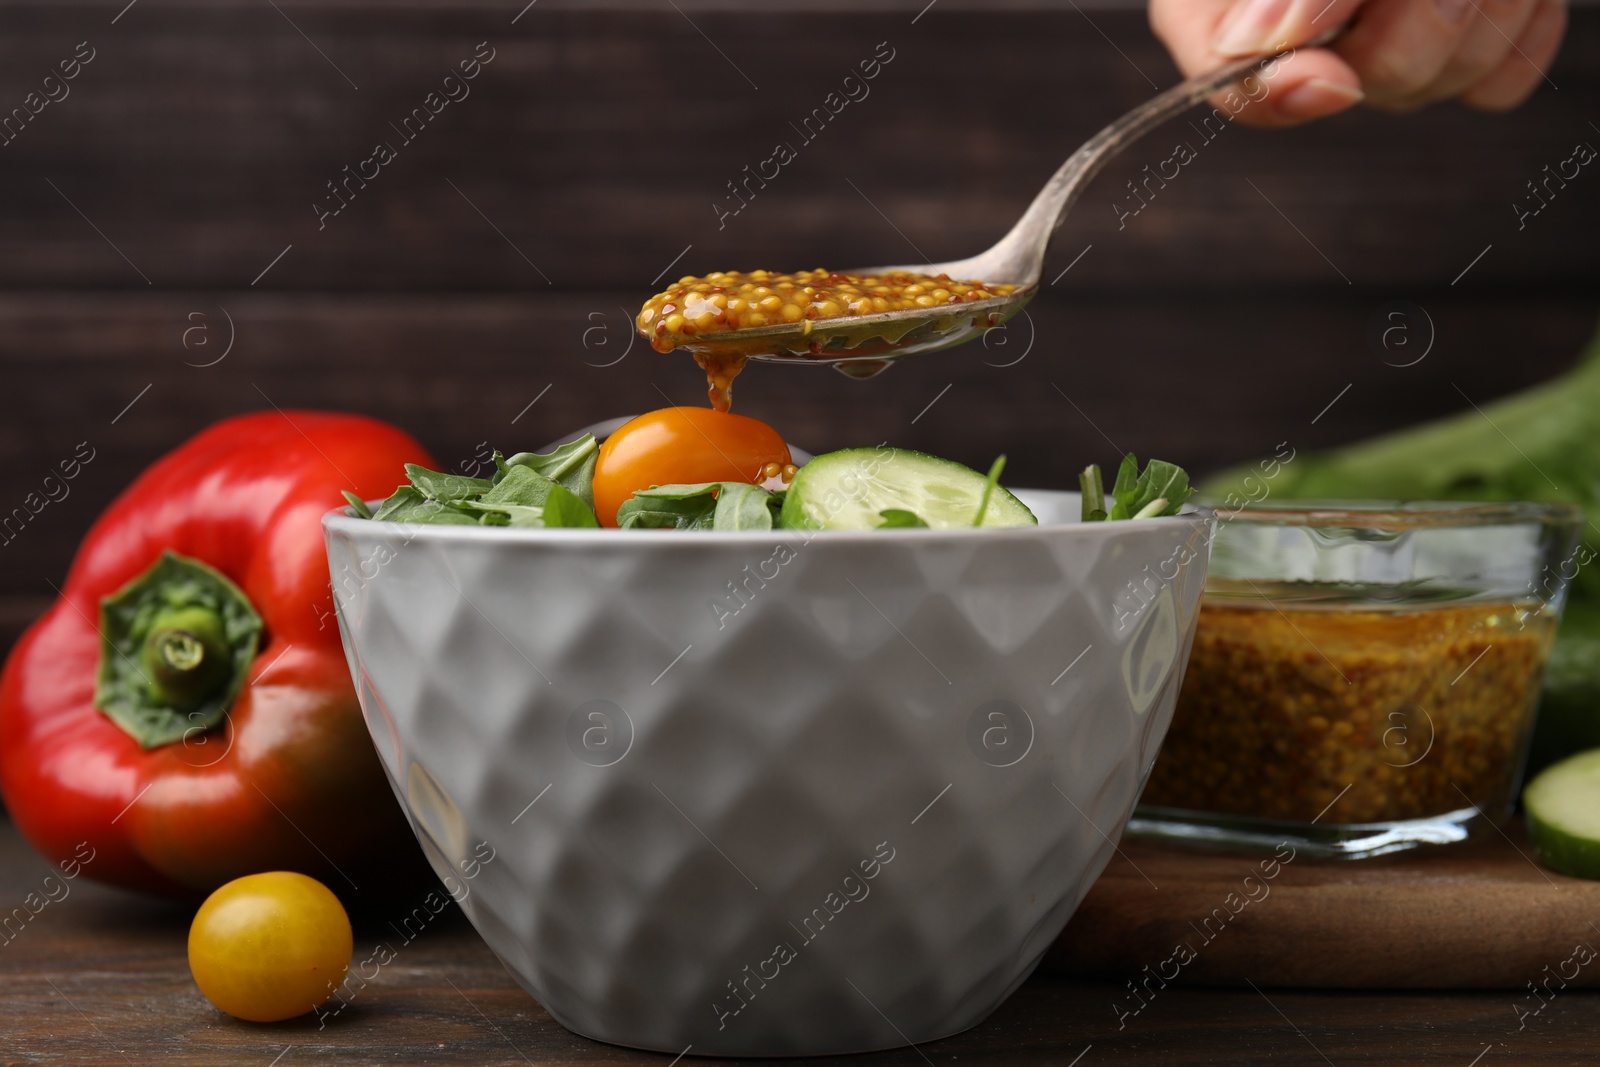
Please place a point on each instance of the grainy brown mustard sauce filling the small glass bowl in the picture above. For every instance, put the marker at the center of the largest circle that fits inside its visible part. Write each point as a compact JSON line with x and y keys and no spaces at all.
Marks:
{"x":1418,"y":713}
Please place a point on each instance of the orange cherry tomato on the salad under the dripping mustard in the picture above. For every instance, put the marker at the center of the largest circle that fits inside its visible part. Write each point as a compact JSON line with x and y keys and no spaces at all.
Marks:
{"x":682,"y":447}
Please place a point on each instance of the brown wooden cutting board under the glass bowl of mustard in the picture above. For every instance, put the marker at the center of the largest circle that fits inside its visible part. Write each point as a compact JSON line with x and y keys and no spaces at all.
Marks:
{"x":1473,"y":916}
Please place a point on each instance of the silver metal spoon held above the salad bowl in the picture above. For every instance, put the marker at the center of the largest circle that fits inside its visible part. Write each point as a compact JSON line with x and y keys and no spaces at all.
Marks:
{"x":865,"y":345}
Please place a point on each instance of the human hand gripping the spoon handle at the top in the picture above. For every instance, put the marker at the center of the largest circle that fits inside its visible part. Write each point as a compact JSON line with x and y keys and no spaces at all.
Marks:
{"x":1398,"y":54}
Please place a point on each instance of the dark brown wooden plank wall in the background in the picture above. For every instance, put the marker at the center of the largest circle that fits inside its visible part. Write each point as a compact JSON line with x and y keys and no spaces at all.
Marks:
{"x":503,"y":249}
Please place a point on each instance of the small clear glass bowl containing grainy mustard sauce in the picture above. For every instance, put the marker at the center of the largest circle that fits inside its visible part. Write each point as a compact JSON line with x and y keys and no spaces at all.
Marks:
{"x":1364,"y":676}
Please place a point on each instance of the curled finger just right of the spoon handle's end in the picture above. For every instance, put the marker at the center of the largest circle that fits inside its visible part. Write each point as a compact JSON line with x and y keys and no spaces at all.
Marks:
{"x":1402,"y":47}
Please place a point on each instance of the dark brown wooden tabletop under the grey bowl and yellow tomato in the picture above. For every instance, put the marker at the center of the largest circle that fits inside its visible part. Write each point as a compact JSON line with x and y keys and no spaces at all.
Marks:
{"x":100,"y":978}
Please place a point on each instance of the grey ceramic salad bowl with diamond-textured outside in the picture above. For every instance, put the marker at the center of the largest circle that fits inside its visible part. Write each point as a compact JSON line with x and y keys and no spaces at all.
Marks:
{"x":770,"y":794}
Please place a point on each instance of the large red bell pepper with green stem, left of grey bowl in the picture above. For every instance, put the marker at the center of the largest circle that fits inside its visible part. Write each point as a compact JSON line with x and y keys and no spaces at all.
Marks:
{"x":185,"y":708}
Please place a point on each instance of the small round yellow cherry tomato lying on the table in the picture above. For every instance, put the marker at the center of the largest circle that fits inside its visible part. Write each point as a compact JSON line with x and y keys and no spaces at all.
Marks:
{"x":271,"y":946}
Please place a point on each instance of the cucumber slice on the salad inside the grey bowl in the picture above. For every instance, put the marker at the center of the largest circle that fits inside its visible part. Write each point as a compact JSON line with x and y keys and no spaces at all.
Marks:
{"x":847,"y":490}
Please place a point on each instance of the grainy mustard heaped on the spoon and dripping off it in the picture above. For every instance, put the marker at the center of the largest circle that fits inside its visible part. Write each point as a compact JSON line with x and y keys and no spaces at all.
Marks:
{"x":726,"y":302}
